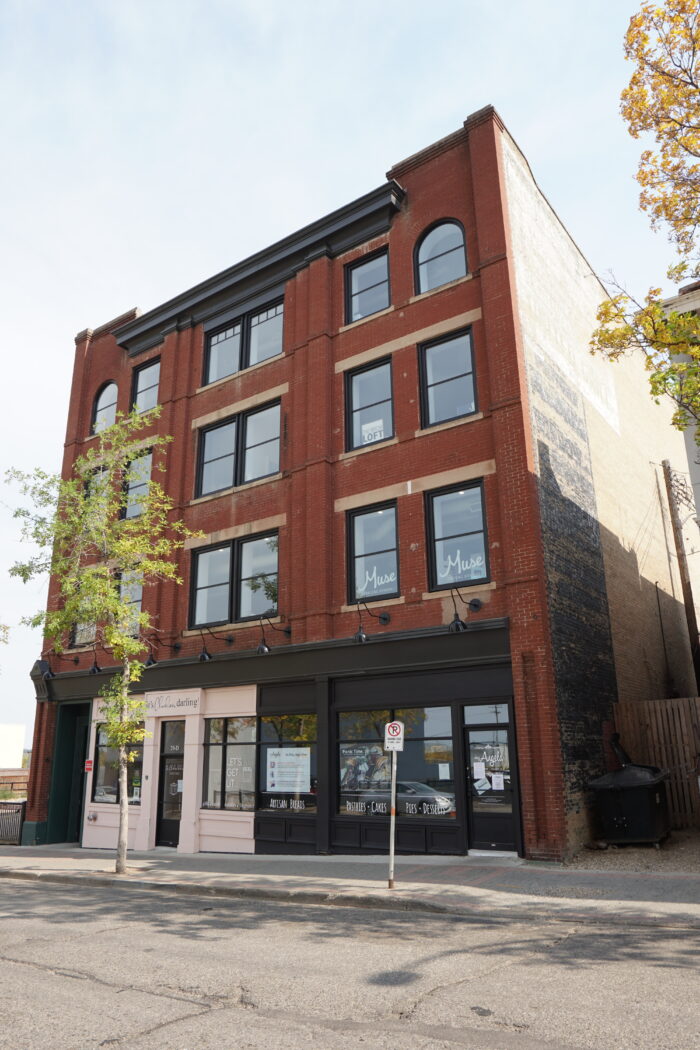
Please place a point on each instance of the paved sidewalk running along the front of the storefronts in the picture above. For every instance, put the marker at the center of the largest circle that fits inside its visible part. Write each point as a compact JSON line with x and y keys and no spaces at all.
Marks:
{"x":492,"y":889}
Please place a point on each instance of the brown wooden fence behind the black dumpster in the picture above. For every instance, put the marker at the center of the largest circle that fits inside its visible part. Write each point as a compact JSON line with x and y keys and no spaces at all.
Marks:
{"x":667,"y":733}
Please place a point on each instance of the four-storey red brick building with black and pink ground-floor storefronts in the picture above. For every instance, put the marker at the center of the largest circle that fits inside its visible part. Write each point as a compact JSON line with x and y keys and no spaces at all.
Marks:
{"x":408,"y":472}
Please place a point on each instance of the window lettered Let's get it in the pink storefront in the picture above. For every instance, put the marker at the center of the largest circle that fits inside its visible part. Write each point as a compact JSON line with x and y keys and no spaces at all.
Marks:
{"x":229,"y":773}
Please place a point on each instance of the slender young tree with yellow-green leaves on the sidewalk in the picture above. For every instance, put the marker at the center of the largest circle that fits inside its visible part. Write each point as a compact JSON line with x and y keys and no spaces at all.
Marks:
{"x":103,"y":534}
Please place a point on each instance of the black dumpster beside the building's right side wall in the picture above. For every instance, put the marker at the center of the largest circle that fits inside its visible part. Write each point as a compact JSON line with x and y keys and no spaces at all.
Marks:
{"x":632,"y":803}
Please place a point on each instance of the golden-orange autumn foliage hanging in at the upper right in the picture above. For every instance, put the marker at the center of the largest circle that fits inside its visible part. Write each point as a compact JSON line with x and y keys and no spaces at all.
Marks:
{"x":664,"y":100}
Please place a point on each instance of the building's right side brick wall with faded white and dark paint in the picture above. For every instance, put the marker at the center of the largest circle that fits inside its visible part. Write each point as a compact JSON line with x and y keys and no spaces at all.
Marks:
{"x":599,"y":445}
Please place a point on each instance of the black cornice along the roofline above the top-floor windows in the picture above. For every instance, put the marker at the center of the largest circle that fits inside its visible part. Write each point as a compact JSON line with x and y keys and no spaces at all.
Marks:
{"x":360,"y":221}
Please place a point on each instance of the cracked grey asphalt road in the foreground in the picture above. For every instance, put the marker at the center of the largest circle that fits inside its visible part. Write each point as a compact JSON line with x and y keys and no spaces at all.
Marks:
{"x":83,"y":969}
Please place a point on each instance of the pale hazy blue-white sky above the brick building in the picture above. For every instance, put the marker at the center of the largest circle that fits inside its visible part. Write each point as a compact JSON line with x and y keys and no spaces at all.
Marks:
{"x":147,"y":145}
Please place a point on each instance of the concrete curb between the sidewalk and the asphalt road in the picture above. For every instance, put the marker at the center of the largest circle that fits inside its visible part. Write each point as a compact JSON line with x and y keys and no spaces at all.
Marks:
{"x":529,"y":913}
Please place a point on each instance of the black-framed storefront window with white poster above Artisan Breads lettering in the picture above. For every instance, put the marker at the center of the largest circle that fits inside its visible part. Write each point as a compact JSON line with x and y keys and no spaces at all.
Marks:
{"x":288,"y":764}
